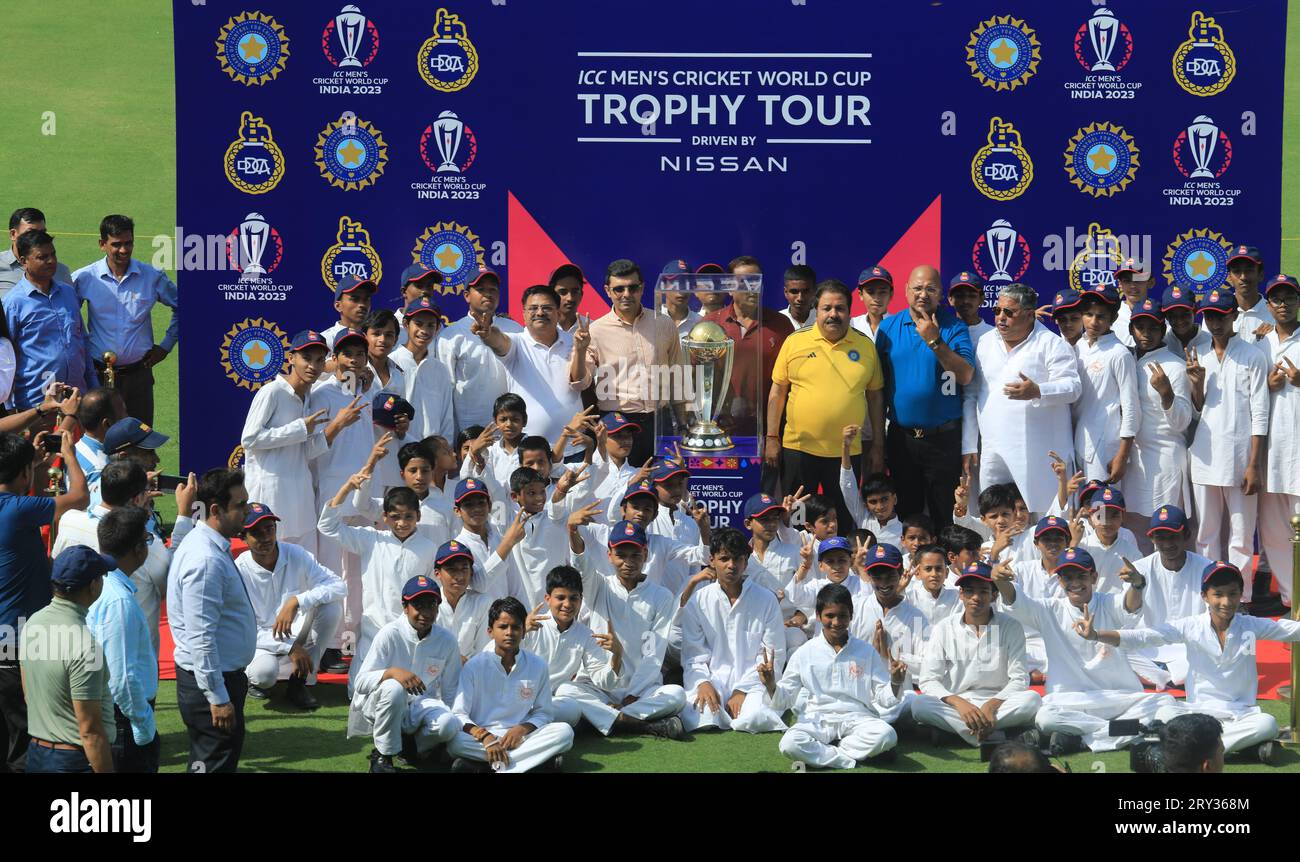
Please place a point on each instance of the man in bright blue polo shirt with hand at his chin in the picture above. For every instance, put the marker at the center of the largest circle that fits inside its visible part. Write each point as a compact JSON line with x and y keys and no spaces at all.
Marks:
{"x":928,"y":357}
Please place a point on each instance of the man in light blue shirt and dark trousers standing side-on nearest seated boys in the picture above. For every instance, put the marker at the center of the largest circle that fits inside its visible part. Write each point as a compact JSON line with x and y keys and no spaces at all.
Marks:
{"x":214,"y":626}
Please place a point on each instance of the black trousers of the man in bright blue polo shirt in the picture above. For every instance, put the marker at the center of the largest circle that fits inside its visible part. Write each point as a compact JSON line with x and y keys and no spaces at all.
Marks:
{"x":926,"y":471}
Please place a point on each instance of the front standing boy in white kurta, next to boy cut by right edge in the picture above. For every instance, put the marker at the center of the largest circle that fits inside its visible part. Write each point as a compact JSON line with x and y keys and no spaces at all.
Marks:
{"x":1232,"y":391}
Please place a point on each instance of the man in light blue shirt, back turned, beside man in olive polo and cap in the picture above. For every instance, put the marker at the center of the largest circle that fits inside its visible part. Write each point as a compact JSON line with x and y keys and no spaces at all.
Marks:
{"x":122,"y":630}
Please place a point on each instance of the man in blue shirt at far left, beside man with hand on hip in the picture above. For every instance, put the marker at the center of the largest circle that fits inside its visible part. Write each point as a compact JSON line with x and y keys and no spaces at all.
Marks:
{"x":45,"y":326}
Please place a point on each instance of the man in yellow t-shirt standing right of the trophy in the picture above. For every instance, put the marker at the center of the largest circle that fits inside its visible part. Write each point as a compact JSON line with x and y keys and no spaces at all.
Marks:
{"x":831,"y":378}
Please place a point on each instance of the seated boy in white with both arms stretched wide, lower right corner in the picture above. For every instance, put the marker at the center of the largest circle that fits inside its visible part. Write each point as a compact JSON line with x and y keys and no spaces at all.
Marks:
{"x":1223,"y":678}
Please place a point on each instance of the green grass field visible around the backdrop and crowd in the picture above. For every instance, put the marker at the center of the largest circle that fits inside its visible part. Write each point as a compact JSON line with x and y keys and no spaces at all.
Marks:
{"x":102,"y":73}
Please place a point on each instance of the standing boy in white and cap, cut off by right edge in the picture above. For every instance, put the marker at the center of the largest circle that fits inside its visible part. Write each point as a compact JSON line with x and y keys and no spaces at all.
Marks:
{"x":1281,"y":499}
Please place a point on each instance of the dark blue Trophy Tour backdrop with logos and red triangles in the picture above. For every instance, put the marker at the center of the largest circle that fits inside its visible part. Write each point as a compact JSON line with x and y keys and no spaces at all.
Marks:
{"x":318,"y":140}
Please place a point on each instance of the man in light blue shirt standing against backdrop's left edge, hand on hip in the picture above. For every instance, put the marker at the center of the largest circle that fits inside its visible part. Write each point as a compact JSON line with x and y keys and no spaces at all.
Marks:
{"x":120,"y":293}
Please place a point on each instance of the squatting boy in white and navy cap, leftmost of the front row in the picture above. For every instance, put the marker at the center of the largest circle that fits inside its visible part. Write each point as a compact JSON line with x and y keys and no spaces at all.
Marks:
{"x":409,"y":679}
